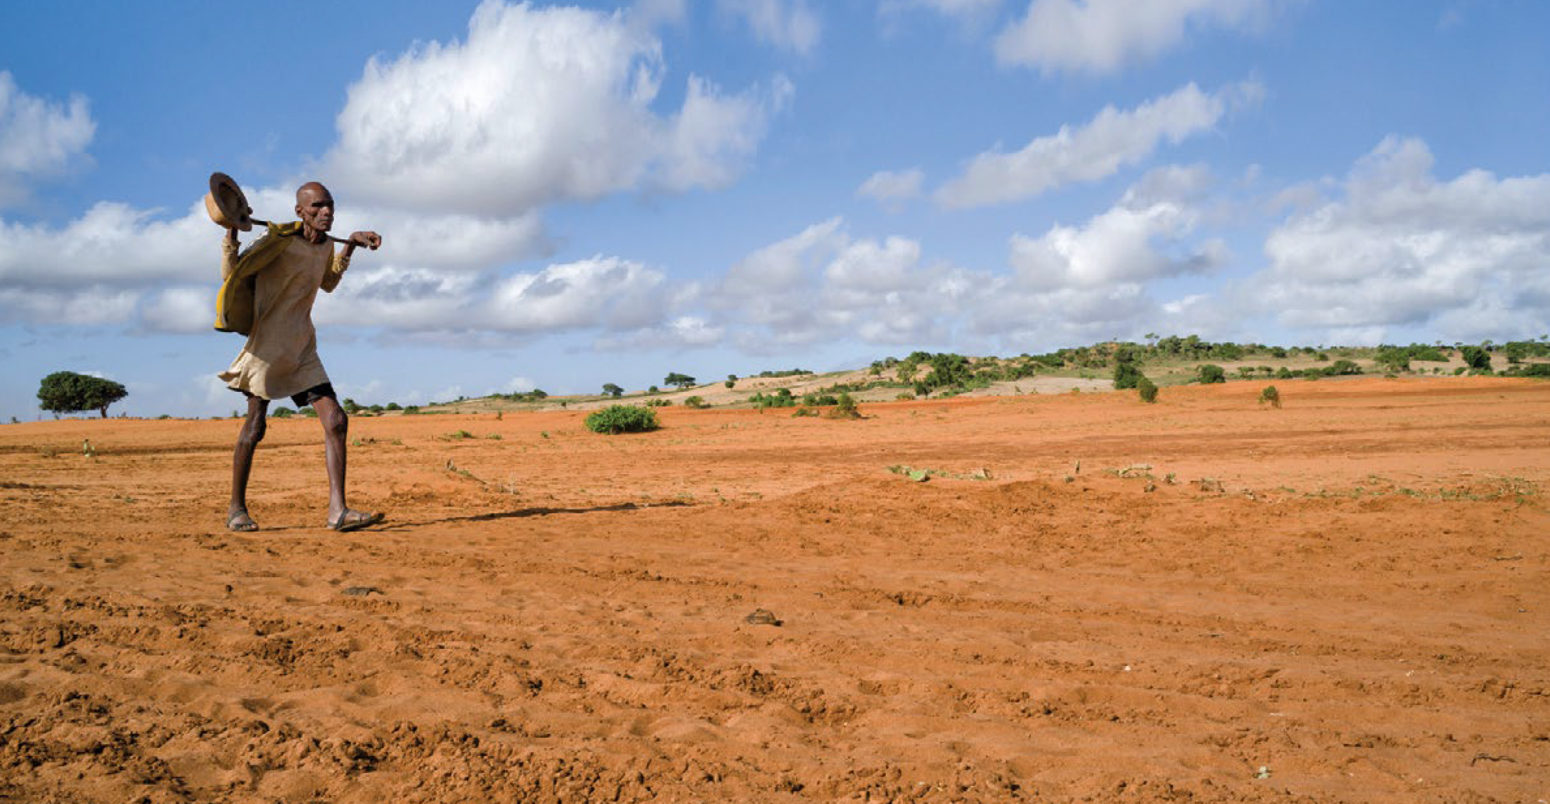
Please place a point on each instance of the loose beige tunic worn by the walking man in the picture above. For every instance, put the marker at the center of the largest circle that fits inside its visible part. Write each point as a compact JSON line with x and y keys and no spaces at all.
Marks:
{"x":281,"y":356}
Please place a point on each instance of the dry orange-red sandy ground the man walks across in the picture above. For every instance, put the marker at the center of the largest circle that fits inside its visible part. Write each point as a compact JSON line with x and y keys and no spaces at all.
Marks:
{"x":1200,"y":600}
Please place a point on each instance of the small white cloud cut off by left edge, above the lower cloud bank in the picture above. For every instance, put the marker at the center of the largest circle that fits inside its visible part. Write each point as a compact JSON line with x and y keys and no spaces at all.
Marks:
{"x":38,"y":139}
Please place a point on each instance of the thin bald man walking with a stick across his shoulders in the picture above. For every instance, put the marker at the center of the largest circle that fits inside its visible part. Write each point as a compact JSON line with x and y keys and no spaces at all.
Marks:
{"x":267,"y":294}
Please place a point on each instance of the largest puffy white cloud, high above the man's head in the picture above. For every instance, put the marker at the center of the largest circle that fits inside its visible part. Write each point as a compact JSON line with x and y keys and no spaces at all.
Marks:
{"x":536,"y":106}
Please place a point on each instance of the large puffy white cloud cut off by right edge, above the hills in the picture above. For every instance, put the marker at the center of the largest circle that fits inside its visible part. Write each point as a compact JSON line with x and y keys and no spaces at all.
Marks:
{"x":1399,"y":247}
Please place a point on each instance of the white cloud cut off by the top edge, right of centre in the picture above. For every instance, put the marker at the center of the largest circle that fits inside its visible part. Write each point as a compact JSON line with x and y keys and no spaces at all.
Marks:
{"x":1103,"y":36}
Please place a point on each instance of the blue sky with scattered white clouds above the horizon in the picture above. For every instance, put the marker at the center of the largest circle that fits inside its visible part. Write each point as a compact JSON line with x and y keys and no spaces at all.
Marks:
{"x":607,"y":193}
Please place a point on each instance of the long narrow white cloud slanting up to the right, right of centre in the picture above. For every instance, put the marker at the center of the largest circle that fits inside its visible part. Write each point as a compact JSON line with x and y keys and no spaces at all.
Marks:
{"x":1111,"y":142}
